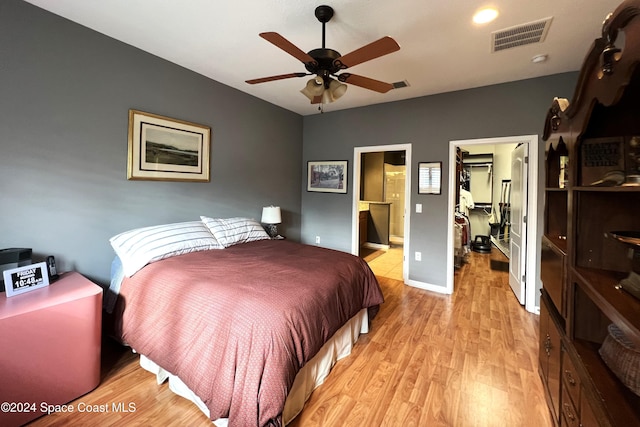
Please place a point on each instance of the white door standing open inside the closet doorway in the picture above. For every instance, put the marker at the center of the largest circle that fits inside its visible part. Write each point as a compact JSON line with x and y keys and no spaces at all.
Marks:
{"x":517,"y":229}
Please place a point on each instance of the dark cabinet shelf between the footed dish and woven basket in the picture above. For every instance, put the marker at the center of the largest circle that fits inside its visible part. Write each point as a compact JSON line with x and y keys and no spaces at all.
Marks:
{"x":620,"y":307}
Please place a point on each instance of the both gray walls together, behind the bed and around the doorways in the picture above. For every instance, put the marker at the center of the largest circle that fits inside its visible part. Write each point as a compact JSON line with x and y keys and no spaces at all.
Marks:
{"x":66,"y":91}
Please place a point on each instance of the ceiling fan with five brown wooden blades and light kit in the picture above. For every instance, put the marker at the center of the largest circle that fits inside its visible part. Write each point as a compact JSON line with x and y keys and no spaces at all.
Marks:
{"x":325,"y":63}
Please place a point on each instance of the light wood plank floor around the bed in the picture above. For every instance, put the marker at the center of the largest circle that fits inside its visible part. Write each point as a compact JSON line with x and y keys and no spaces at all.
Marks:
{"x":469,"y":359}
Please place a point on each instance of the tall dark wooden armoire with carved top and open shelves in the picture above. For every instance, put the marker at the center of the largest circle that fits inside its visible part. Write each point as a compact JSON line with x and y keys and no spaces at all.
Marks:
{"x":591,"y":241}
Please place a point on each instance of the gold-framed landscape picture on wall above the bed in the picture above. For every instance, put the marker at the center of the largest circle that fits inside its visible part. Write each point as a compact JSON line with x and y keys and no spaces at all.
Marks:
{"x":166,"y":149}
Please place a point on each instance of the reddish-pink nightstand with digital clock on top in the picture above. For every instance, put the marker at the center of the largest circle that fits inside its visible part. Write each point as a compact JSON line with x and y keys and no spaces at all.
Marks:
{"x":49,"y":346}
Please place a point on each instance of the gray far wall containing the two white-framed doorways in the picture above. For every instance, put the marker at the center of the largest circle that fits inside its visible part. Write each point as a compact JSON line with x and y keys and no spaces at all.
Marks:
{"x":428,"y":123}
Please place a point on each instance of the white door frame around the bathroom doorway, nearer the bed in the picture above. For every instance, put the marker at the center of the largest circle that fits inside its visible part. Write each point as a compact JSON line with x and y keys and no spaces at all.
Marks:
{"x":355,"y":230}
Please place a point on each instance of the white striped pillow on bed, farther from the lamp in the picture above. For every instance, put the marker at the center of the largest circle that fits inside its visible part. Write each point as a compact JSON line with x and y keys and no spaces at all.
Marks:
{"x":139,"y":247}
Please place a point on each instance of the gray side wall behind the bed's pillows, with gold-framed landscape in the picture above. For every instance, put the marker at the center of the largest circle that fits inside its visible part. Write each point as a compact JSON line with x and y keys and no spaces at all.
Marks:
{"x":65,"y":94}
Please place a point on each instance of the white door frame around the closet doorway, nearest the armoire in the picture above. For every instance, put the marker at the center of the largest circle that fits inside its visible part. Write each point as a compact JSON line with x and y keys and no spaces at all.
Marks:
{"x":532,"y":210}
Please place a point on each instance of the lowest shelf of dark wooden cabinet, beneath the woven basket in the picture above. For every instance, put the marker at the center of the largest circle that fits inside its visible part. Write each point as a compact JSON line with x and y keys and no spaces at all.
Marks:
{"x":622,"y":405}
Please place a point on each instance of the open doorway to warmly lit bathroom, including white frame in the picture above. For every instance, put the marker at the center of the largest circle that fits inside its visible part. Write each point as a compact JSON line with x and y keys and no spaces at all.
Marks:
{"x":382,"y":183}
